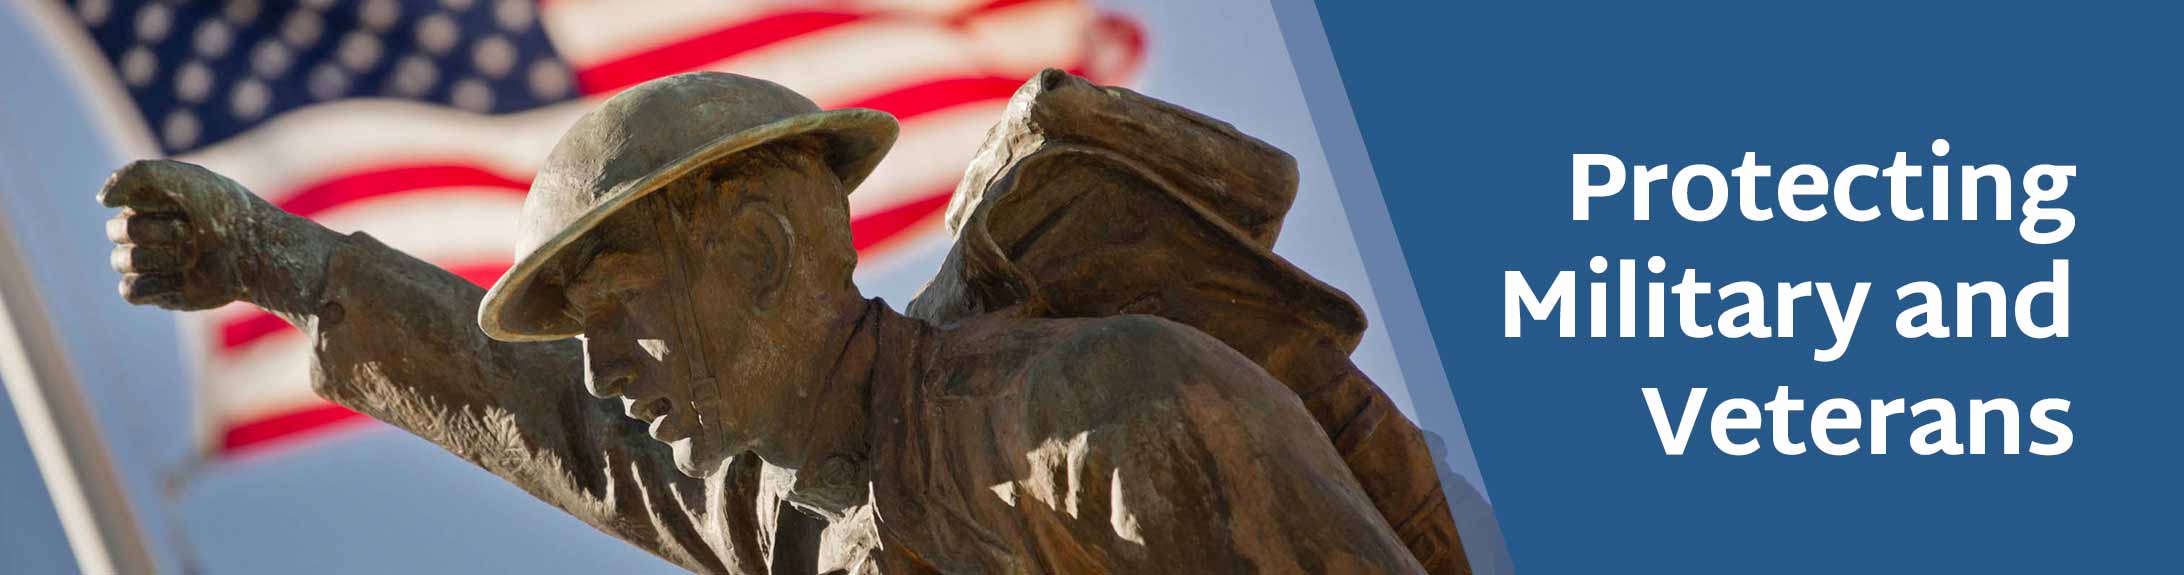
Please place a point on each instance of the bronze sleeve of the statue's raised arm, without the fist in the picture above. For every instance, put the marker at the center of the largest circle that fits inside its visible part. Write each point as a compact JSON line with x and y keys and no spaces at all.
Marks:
{"x":399,"y":340}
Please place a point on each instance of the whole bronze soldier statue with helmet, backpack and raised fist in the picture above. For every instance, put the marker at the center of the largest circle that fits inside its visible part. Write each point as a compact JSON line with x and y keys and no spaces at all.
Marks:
{"x":1111,"y":375}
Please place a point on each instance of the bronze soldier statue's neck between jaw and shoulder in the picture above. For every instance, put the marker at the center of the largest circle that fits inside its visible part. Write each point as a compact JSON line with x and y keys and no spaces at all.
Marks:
{"x":833,"y":473}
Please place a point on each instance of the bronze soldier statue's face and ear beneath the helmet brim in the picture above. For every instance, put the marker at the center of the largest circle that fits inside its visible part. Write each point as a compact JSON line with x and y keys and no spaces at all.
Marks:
{"x":702,"y":318}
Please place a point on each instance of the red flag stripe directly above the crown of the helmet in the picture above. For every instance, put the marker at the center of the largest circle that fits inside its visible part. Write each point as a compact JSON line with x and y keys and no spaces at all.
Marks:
{"x":691,"y":54}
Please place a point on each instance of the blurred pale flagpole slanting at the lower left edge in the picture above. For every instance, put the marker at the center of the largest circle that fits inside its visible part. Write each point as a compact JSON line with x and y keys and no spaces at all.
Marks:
{"x":58,"y":423}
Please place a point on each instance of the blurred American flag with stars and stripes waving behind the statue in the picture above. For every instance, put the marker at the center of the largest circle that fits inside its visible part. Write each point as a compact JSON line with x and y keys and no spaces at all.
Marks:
{"x":423,"y":121}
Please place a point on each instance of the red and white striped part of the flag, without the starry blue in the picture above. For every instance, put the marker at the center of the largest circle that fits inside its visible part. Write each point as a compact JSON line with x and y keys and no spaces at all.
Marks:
{"x":423,"y":176}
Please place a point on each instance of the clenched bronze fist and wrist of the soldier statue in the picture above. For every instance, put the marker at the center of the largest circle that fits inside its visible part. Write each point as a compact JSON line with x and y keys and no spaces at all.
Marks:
{"x":191,"y":239}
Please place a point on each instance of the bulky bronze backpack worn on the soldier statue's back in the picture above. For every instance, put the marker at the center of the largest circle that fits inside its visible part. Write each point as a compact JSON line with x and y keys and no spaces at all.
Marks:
{"x":1093,"y":202}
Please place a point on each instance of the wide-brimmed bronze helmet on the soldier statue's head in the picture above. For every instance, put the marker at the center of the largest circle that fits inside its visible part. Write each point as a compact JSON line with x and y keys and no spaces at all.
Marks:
{"x":641,"y":141}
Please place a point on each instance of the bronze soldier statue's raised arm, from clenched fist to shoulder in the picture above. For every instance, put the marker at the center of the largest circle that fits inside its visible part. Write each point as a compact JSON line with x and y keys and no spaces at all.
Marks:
{"x":396,"y":340}
